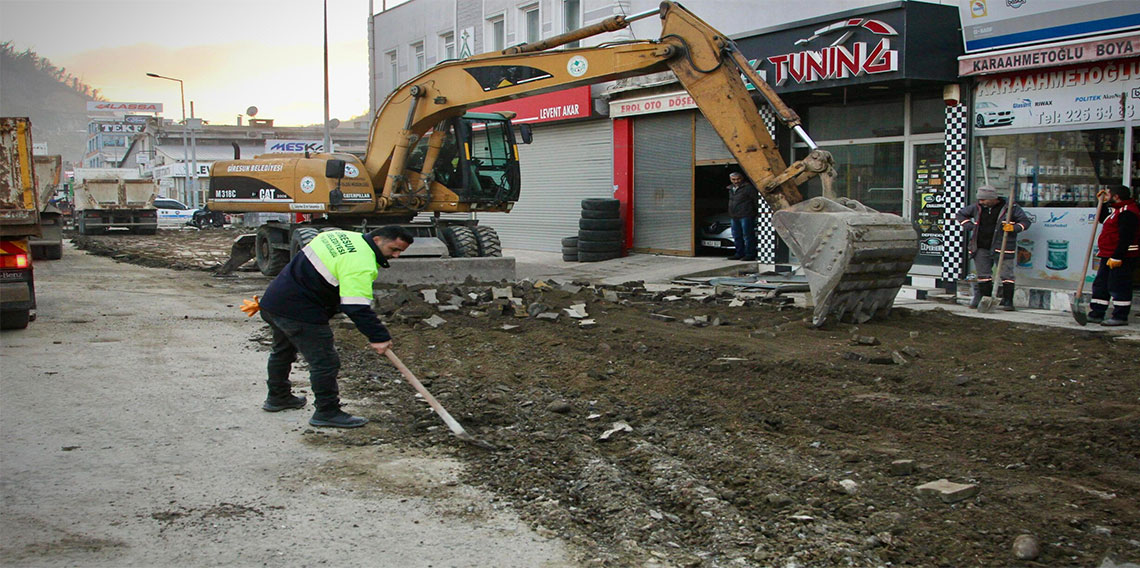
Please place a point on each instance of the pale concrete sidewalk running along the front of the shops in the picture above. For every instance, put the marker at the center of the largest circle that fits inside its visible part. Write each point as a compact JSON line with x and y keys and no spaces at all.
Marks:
{"x":661,"y":271}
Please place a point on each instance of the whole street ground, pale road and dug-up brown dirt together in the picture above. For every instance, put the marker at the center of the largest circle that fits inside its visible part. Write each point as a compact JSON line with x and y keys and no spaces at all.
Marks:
{"x":680,"y":428}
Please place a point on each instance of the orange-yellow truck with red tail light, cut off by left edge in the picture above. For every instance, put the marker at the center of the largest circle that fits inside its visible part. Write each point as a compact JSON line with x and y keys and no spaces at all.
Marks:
{"x":20,"y":222}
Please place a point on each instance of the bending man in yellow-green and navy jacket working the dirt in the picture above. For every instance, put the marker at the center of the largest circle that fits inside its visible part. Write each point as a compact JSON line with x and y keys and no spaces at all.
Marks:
{"x":333,"y":273}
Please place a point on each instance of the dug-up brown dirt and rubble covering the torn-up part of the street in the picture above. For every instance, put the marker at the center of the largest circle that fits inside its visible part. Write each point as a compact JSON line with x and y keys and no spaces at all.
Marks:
{"x":690,"y":427}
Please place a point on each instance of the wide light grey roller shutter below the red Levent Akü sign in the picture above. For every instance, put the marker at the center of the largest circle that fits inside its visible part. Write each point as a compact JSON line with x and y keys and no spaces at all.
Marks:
{"x":564,"y":166}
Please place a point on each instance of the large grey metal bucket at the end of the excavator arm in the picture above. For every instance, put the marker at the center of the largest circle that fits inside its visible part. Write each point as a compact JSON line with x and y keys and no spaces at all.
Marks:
{"x":854,"y":257}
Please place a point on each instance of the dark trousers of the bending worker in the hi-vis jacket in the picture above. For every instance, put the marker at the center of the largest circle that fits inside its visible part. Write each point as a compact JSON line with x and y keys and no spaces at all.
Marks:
{"x":315,"y":343}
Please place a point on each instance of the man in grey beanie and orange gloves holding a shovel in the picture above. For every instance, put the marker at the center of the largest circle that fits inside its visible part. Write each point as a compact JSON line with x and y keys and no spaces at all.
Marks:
{"x":995,"y":224}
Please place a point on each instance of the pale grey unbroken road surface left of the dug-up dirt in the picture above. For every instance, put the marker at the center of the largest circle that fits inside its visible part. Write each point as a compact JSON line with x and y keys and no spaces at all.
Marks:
{"x":133,"y":436}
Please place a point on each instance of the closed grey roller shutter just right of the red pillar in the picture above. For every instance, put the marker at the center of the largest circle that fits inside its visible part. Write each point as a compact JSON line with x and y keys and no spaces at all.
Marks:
{"x":664,"y":183}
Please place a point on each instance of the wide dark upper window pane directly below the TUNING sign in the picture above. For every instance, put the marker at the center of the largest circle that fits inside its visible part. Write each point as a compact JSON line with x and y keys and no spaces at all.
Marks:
{"x":857,"y":120}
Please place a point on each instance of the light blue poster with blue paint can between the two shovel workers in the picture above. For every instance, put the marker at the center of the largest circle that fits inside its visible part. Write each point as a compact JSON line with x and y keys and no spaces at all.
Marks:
{"x":1056,"y":244}
